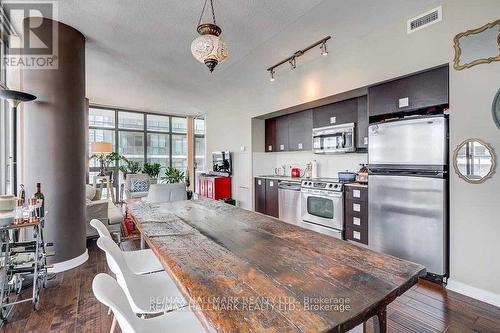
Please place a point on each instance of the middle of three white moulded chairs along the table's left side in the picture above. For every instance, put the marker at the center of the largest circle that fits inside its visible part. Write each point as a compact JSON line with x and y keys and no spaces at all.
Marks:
{"x":142,"y":290}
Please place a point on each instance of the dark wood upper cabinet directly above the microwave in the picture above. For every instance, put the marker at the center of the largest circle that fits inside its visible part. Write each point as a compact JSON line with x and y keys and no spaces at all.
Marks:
{"x":336,"y":114}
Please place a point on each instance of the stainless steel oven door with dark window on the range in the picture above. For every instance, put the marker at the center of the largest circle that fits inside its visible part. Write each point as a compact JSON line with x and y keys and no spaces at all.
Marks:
{"x":324,"y":209}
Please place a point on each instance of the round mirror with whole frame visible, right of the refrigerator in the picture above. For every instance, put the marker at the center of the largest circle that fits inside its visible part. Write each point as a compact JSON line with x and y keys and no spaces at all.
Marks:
{"x":474,"y":161}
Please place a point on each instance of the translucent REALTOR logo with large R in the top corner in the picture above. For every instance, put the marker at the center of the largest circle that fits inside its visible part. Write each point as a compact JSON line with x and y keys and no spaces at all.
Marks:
{"x":32,"y":33}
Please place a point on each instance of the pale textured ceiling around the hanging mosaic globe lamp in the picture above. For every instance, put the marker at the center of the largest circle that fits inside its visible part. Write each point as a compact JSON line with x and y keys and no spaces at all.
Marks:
{"x":138,"y":52}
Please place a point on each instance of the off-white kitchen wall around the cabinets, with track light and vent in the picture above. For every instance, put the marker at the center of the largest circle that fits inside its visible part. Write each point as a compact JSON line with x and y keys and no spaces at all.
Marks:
{"x":370,"y":44}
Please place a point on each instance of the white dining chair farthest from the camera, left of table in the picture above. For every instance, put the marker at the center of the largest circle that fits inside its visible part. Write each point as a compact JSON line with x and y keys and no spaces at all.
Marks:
{"x":140,"y":261}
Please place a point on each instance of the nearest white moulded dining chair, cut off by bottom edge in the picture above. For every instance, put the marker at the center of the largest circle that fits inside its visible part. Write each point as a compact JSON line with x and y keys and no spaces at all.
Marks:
{"x":109,"y":293}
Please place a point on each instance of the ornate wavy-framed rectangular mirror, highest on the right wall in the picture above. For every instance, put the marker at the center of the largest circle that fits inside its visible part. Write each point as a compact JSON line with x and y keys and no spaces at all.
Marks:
{"x":477,"y":46}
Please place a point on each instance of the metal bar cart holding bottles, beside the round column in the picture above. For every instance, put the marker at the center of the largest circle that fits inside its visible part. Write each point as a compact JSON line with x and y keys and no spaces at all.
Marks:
{"x":23,"y":263}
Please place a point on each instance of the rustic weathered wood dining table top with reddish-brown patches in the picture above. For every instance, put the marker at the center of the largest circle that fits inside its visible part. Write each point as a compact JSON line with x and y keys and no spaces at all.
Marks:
{"x":246,"y":272}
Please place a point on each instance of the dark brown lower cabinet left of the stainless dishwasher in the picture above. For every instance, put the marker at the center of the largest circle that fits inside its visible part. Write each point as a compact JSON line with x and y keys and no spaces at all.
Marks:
{"x":266,"y":196}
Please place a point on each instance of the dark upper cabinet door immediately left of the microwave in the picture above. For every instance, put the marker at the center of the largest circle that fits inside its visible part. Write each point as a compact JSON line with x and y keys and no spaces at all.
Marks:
{"x":300,"y":130}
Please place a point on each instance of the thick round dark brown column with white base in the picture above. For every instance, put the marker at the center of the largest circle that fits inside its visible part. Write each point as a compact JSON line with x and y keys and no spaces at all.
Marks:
{"x":54,"y":145}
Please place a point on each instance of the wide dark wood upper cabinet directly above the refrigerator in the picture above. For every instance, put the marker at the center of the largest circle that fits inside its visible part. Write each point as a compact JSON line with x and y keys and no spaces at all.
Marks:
{"x":410,"y":93}
